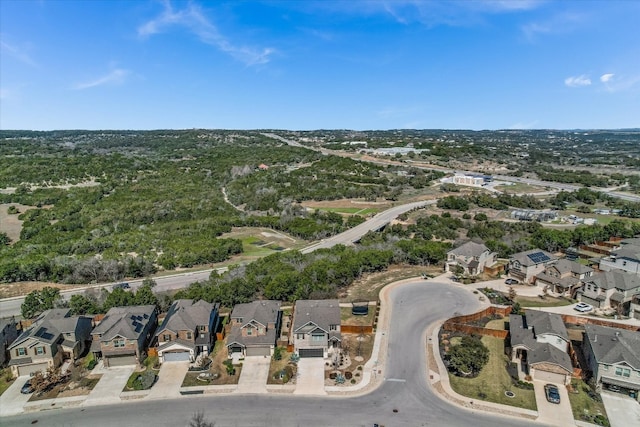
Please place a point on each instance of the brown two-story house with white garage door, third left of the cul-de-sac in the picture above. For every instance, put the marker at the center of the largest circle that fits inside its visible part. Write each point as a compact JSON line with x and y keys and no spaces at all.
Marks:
{"x":188,"y":330}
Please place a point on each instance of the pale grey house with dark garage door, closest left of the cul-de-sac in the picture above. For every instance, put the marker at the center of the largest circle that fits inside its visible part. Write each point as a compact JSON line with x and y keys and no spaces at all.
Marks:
{"x":316,"y":327}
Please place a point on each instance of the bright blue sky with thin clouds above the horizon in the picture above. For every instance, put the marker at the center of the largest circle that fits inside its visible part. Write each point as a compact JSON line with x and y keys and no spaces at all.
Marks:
{"x":305,"y":65}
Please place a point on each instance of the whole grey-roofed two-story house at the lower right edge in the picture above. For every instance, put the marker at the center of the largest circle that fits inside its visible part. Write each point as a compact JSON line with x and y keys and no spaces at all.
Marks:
{"x":613,"y":356}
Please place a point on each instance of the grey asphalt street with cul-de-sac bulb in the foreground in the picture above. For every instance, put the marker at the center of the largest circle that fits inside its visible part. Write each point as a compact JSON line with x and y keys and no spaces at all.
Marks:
{"x":414,"y":307}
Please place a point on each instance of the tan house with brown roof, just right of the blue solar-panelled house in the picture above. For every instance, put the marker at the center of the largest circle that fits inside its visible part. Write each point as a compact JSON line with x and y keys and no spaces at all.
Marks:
{"x":564,"y":277}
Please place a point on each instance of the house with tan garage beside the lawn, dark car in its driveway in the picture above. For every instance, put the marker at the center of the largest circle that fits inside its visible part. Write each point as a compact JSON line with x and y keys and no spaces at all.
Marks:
{"x":539,"y":344}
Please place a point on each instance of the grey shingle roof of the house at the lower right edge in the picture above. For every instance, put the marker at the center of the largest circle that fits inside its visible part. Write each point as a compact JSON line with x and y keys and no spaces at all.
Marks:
{"x":613,"y":345}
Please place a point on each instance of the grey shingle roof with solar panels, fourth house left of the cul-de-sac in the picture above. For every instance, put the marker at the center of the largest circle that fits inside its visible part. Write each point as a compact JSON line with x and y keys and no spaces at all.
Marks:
{"x":127,"y":322}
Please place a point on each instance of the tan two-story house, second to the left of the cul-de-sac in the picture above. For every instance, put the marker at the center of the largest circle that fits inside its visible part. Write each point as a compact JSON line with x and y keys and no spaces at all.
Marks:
{"x":255,"y":327}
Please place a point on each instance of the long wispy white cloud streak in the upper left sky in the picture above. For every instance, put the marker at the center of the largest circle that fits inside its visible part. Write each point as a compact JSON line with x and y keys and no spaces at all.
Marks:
{"x":193,"y":19}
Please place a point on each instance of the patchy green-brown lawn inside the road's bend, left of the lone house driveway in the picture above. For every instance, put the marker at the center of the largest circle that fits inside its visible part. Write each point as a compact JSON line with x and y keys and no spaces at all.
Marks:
{"x":494,"y":380}
